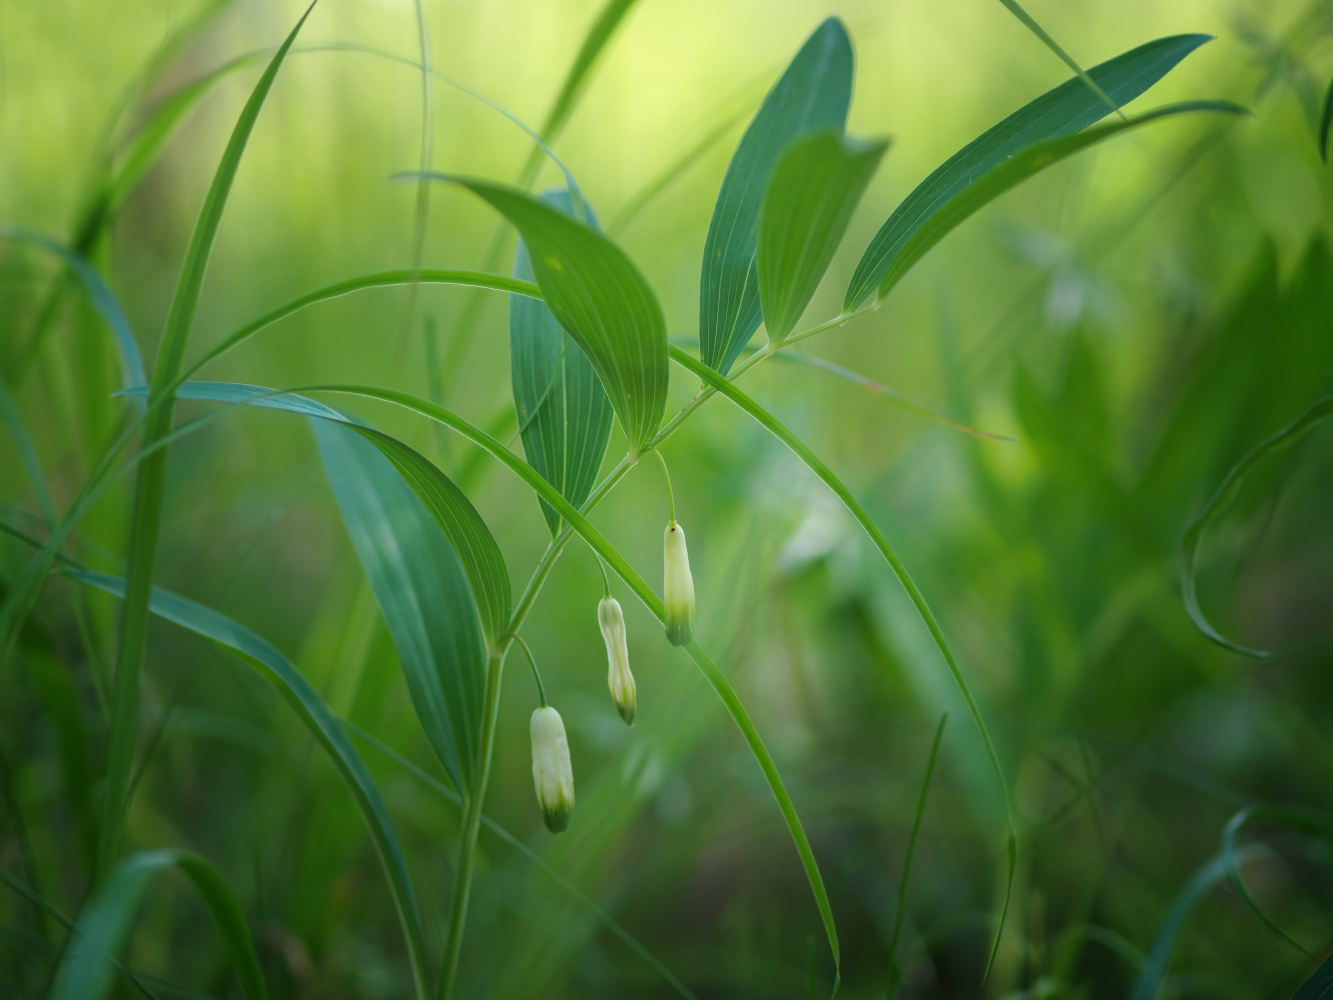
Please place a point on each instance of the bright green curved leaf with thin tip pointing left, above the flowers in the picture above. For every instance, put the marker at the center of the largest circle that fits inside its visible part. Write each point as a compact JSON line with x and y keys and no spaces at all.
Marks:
{"x":602,"y":299}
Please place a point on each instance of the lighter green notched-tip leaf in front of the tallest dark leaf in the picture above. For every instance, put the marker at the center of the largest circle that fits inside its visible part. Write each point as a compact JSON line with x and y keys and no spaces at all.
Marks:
{"x":807,"y":207}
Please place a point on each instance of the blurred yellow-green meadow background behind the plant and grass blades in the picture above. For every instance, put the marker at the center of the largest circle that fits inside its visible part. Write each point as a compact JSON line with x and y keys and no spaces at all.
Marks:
{"x":1136,"y":319}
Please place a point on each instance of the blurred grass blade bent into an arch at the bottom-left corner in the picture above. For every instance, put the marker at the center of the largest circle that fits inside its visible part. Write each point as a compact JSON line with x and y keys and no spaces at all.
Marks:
{"x":86,"y":973}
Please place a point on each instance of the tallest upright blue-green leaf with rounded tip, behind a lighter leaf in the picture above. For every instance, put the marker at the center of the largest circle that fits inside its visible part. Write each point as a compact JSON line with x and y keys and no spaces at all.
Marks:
{"x":815,"y":93}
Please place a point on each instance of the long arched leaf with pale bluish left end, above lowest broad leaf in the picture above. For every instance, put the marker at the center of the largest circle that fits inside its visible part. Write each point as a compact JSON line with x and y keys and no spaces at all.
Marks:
{"x":473,"y":542}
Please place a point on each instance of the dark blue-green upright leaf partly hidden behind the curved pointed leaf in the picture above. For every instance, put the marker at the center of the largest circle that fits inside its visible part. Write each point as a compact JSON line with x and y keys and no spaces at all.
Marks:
{"x":563,"y":410}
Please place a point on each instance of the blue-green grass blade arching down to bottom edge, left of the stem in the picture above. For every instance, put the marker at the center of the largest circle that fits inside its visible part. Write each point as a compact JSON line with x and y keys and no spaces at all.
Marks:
{"x":323,"y":725}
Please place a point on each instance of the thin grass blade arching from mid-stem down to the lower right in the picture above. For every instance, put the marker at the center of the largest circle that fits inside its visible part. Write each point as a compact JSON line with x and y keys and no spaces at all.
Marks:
{"x":834,"y":483}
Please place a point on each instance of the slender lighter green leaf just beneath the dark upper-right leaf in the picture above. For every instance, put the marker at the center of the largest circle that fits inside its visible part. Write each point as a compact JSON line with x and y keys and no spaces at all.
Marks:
{"x":890,"y":266}
